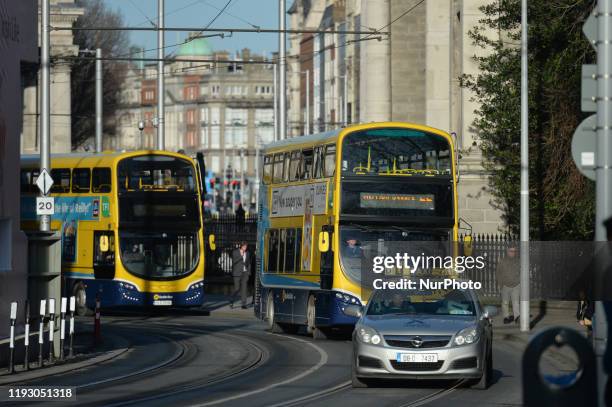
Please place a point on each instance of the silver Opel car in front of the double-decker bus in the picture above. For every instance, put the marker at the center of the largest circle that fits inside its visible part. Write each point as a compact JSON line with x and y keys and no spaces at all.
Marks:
{"x":423,"y":335}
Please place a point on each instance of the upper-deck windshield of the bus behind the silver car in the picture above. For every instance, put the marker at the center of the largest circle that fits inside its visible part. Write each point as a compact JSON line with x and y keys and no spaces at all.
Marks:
{"x":395,"y":151}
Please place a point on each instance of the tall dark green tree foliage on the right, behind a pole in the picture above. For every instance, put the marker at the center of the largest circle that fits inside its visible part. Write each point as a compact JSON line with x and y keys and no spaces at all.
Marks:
{"x":561,"y":199}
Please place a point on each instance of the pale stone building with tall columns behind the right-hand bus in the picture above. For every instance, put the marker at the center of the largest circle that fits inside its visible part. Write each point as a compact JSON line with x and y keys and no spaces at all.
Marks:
{"x":413,"y":75}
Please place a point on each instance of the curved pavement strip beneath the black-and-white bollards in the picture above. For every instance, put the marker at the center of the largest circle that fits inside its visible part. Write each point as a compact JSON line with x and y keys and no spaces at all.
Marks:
{"x":84,"y":356}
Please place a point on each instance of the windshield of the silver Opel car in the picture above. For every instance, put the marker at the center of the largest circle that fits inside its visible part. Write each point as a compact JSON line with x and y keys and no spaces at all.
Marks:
{"x":415,"y":302}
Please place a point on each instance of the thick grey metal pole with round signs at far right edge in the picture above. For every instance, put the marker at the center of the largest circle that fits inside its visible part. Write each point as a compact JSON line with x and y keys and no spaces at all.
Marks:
{"x":603,"y":174}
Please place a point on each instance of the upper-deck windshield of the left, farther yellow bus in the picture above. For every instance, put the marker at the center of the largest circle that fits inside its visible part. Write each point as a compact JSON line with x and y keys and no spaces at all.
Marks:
{"x":155,"y":173}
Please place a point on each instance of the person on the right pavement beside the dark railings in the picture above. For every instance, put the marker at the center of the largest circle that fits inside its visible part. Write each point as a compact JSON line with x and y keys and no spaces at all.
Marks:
{"x":508,"y":278}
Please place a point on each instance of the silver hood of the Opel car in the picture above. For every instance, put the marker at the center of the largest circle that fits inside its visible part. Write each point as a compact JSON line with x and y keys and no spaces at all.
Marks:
{"x":419,"y":324}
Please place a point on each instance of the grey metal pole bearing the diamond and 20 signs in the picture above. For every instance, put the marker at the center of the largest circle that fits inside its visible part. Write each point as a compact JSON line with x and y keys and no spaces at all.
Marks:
{"x":45,"y":119}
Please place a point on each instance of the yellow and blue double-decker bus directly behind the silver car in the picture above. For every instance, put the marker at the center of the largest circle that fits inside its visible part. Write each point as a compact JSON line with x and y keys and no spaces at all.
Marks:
{"x":325,"y":197}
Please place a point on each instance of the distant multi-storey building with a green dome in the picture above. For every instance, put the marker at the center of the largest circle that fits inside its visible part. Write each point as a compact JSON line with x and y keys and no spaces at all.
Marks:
{"x":224,"y":110}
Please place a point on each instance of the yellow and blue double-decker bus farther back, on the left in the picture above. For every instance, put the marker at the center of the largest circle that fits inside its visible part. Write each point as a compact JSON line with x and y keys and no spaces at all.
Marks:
{"x":130,"y":224}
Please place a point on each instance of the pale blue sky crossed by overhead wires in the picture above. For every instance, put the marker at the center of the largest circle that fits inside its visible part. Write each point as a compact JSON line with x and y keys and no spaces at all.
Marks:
{"x":199,"y":13}
